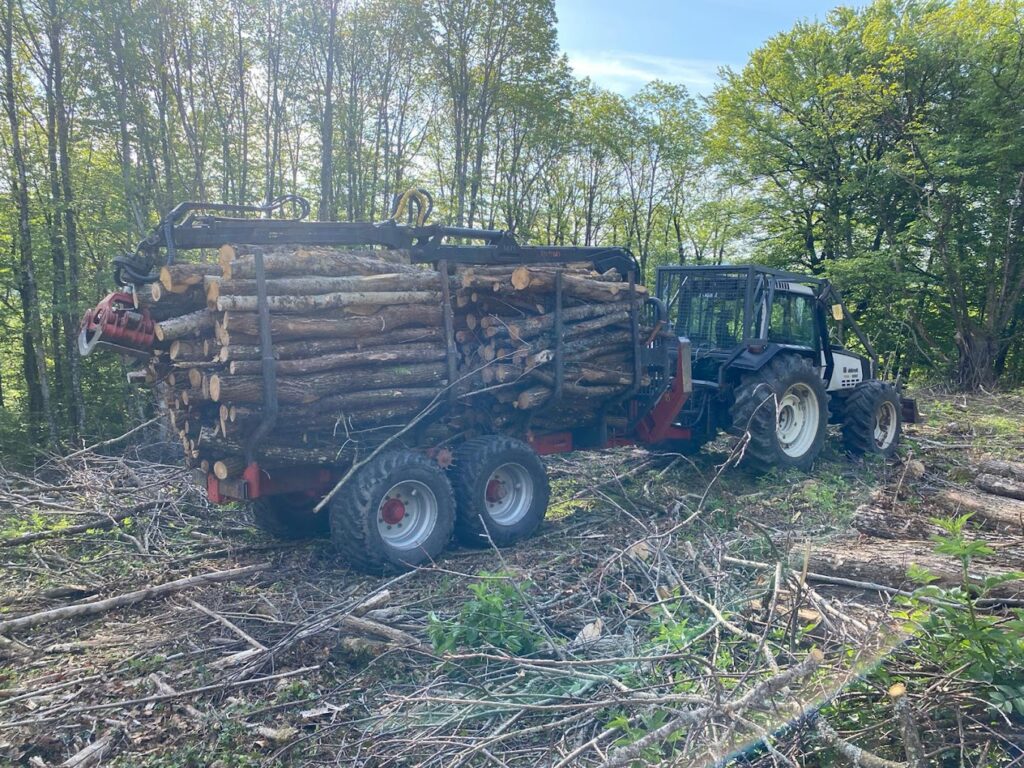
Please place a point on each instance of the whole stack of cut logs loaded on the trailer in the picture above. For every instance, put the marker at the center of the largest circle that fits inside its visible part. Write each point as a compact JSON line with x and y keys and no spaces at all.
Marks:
{"x":361,"y":352}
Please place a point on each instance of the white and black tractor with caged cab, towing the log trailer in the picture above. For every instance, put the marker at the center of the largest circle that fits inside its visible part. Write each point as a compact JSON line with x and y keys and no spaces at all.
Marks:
{"x":769,"y":355}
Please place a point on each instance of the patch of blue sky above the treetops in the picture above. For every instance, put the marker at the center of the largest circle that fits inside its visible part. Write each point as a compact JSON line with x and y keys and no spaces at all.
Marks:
{"x":623,"y":45}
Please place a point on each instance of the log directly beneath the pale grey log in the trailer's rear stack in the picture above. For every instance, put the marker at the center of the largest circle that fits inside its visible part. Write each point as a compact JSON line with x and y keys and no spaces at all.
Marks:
{"x":289,"y":328}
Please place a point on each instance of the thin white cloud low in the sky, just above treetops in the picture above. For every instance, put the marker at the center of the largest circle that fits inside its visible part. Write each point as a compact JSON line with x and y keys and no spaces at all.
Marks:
{"x":627,"y":73}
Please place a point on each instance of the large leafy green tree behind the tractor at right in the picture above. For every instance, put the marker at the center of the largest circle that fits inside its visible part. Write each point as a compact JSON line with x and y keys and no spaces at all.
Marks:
{"x":883,"y":148}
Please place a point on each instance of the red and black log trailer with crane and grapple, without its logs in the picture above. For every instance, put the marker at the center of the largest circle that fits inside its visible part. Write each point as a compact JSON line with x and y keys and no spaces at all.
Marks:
{"x":401,"y":507}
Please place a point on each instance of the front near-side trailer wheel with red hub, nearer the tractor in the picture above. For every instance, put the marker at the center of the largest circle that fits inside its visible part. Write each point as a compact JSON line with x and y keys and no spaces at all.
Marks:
{"x":501,"y":491}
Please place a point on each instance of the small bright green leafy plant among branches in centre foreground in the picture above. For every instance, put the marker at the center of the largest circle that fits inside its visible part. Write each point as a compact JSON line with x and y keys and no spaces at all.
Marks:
{"x":493,"y":618}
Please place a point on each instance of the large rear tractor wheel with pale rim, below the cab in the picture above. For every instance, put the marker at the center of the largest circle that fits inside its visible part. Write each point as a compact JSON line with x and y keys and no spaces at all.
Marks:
{"x":785,"y":410}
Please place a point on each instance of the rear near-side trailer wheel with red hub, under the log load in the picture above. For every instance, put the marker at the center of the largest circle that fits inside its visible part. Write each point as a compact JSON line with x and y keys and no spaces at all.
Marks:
{"x":397,"y":513}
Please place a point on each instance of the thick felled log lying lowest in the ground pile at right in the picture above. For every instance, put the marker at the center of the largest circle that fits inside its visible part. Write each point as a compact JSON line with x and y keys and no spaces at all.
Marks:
{"x":888,"y":563}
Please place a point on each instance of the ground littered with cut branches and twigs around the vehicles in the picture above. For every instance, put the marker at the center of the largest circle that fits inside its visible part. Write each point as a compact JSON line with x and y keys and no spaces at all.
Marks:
{"x":668,"y":611}
